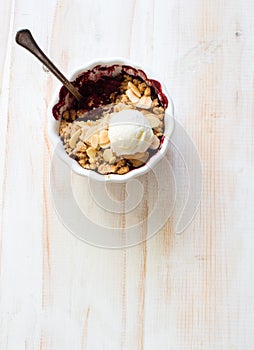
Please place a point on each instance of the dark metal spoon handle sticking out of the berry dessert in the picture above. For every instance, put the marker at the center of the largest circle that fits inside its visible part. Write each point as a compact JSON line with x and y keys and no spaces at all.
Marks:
{"x":25,"y":39}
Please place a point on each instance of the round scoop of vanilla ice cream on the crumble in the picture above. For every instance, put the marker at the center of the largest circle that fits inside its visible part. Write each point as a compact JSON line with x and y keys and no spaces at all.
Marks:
{"x":129,"y":132}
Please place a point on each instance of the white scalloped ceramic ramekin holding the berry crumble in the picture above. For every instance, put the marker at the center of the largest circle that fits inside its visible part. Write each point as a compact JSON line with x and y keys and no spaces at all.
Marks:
{"x":74,"y":166}
